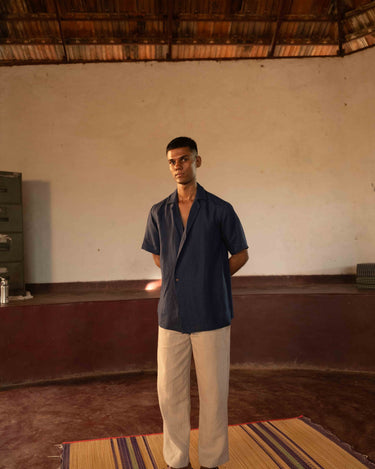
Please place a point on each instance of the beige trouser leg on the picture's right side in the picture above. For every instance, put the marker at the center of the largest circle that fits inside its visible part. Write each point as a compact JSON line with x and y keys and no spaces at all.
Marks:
{"x":211,"y":352}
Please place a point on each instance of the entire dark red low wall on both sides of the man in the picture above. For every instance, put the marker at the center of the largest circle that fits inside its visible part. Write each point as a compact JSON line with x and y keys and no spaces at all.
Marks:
{"x":53,"y":341}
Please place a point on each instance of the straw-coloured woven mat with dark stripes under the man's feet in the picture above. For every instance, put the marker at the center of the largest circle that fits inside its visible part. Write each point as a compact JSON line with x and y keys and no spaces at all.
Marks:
{"x":293,"y":443}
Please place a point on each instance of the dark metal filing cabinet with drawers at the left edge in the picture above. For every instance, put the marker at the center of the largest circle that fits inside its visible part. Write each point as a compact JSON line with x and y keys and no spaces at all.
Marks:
{"x":11,"y":230}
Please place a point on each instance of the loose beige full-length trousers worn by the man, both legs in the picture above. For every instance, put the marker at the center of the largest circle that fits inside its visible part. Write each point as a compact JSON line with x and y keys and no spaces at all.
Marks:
{"x":211,"y":351}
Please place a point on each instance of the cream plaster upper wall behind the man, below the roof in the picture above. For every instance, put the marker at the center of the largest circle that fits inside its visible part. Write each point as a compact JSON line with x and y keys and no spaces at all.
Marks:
{"x":290,"y":143}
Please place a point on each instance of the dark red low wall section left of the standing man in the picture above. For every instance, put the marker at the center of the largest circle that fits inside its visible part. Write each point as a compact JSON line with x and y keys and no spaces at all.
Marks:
{"x":59,"y":340}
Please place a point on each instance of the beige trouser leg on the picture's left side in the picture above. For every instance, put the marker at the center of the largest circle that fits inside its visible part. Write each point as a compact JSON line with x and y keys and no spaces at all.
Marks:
{"x":174,"y":363}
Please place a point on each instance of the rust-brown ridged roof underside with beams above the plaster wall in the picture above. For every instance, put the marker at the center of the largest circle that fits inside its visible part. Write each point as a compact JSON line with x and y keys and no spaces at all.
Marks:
{"x":62,"y":31}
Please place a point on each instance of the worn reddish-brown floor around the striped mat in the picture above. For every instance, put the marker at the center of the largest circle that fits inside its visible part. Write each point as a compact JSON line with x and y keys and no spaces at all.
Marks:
{"x":33,"y":419}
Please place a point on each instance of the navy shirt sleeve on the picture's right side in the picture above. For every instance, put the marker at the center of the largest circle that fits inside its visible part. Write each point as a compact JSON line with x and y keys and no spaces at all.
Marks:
{"x":232,"y":231}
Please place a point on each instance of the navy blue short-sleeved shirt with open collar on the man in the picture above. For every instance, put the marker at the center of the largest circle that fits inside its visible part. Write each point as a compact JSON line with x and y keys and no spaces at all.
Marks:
{"x":196,"y":287}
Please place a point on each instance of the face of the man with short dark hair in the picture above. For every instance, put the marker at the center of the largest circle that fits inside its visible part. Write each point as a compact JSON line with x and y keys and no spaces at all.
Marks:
{"x":183,"y":164}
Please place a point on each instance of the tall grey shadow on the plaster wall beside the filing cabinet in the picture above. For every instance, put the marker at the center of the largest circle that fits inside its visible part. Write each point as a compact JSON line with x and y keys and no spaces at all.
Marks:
{"x":36,"y":197}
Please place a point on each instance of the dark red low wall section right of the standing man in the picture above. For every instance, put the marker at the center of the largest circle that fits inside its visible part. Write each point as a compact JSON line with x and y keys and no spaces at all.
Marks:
{"x":318,"y":330}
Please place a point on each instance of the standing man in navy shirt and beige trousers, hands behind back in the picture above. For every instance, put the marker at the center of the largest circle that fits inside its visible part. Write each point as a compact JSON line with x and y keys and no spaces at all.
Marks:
{"x":189,"y":235}
